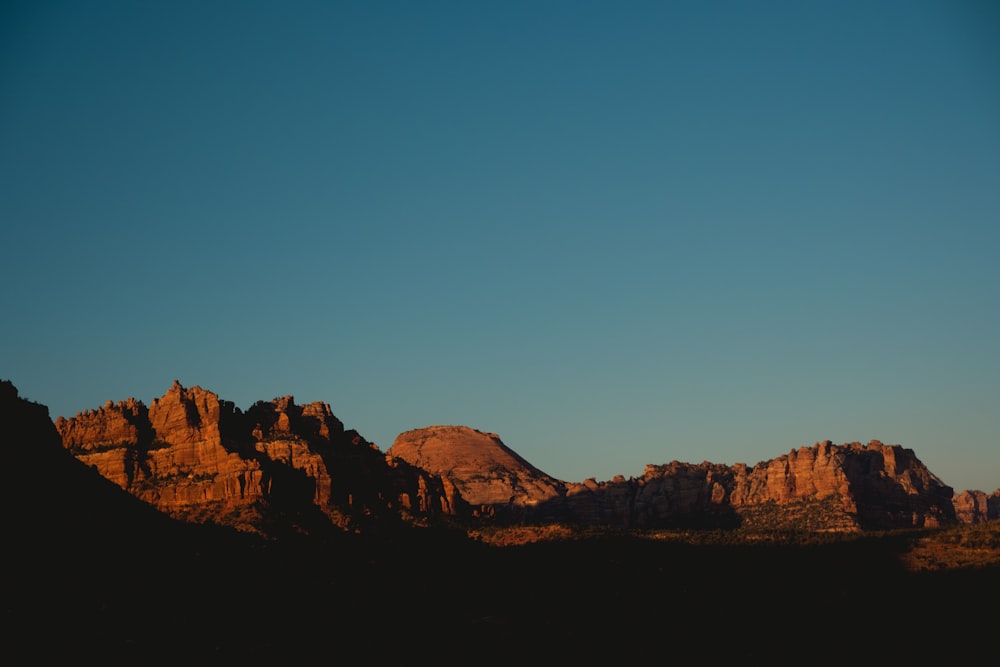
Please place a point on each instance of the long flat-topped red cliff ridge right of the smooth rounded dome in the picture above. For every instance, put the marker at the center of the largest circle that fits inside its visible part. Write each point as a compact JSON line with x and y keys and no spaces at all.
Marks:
{"x":823,"y":487}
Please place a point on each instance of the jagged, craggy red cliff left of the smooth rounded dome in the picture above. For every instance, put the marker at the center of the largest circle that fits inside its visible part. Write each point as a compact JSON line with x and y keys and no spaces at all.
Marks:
{"x":192,"y":454}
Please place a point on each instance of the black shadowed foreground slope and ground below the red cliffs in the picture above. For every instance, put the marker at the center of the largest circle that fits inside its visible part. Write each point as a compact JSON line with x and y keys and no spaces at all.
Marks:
{"x":94,"y":576}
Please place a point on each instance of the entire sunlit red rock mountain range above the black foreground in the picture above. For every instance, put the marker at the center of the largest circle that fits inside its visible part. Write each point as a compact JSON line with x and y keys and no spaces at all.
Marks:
{"x":196,"y":456}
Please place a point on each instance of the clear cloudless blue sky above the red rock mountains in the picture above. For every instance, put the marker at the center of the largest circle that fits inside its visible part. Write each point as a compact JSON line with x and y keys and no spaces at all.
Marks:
{"x":613,"y":233}
